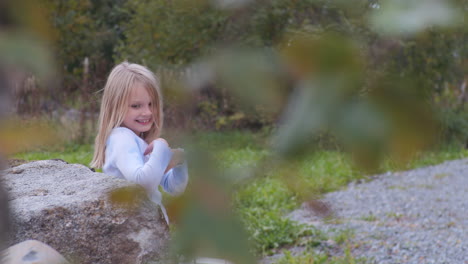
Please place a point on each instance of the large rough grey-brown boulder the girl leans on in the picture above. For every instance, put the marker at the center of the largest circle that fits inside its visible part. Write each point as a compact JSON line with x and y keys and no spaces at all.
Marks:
{"x":68,"y":207}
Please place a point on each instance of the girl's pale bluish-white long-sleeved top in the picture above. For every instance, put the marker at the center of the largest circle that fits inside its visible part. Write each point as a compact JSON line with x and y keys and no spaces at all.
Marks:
{"x":124,"y":159}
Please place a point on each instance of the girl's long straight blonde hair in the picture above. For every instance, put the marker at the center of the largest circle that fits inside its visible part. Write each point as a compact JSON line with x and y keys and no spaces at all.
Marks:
{"x":114,"y":105}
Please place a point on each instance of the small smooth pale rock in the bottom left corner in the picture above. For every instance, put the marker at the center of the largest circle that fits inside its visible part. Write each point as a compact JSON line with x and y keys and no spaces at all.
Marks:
{"x":32,"y":251}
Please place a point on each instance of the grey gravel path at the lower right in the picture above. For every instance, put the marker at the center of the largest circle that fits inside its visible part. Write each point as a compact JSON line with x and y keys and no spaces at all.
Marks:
{"x":418,"y":216}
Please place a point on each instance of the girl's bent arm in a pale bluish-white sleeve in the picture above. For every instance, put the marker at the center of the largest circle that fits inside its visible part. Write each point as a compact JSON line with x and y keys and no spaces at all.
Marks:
{"x":130,"y":161}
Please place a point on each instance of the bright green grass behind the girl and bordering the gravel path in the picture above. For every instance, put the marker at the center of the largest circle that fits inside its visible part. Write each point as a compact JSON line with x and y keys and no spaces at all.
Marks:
{"x":278,"y":188}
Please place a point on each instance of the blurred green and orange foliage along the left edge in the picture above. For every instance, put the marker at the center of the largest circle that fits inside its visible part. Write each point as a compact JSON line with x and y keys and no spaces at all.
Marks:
{"x":22,"y":50}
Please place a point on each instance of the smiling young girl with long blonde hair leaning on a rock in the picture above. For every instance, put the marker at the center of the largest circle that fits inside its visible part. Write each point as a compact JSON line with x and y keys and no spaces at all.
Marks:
{"x":127,"y":144}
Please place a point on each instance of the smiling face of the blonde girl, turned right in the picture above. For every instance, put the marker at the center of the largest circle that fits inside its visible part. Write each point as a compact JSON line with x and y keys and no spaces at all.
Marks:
{"x":139,"y":117}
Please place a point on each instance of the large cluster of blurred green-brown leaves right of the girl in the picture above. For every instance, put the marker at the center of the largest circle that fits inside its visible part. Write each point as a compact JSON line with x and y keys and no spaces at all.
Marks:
{"x":384,"y":119}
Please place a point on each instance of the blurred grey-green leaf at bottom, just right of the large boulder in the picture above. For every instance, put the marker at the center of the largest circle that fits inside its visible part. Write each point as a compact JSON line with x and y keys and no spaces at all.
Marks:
{"x":207,"y":225}
